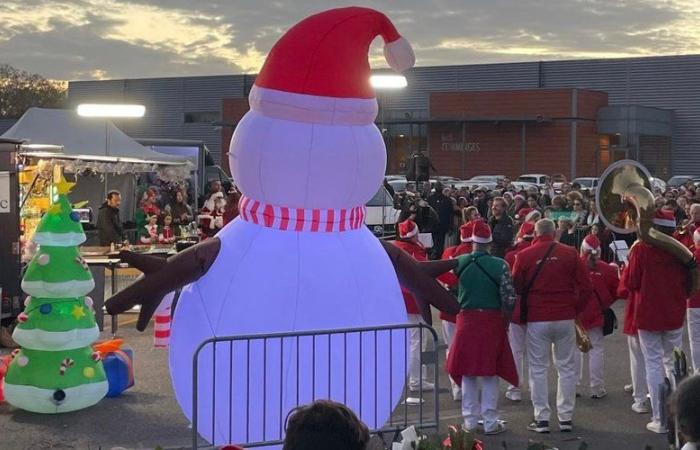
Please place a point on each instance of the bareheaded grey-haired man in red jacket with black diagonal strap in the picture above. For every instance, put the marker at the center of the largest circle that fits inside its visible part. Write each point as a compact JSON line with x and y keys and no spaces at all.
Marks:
{"x":554,"y":286}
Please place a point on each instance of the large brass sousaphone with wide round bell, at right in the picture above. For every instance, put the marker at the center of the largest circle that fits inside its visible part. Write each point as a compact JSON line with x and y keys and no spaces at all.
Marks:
{"x":626,"y":204}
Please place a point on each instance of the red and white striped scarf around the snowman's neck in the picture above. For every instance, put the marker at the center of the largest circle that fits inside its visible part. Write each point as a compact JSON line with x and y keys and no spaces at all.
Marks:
{"x":299,"y":219}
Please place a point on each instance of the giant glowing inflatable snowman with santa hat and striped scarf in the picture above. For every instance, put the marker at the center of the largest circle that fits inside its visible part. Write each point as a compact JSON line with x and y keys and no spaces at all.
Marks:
{"x":307,"y":157}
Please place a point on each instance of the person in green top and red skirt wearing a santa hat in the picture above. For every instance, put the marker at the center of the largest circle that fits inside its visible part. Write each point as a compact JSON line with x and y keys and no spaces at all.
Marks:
{"x":480,"y":352}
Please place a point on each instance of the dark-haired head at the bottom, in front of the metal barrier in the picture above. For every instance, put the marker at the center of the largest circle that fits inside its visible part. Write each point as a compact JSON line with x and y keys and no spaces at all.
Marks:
{"x":325,"y":424}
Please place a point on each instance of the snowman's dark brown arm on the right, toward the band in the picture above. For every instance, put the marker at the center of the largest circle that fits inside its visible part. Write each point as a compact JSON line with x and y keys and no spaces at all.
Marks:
{"x":417,"y":279}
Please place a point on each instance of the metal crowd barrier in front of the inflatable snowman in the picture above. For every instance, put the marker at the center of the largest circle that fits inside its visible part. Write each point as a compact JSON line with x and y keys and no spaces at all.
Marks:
{"x":402,"y":414}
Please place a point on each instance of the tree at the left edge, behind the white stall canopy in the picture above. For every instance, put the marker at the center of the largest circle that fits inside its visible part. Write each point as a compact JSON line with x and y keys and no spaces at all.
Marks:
{"x":21,"y":90}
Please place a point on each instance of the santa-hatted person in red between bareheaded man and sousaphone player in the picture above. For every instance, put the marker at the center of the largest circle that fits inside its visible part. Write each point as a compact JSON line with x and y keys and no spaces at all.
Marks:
{"x":605,"y":283}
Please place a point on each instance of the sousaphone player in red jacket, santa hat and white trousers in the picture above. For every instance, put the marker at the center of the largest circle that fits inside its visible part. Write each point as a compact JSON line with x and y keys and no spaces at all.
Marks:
{"x":661,"y":281}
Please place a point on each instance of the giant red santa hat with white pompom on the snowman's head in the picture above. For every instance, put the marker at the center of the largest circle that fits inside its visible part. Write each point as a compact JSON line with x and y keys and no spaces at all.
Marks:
{"x":319,"y":72}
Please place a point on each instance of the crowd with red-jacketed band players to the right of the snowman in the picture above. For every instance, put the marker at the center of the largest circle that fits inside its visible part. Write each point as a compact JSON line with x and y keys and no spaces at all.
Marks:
{"x":541,"y":263}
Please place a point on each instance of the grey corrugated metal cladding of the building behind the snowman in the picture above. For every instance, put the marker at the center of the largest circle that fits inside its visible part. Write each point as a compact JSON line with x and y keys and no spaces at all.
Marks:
{"x":663,"y":82}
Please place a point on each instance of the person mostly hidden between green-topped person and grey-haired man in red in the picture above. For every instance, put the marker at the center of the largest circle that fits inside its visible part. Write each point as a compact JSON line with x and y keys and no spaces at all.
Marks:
{"x":517,"y":329}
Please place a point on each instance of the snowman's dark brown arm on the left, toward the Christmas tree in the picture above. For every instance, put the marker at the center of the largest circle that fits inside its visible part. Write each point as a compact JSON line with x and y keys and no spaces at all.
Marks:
{"x":161,"y":277}
